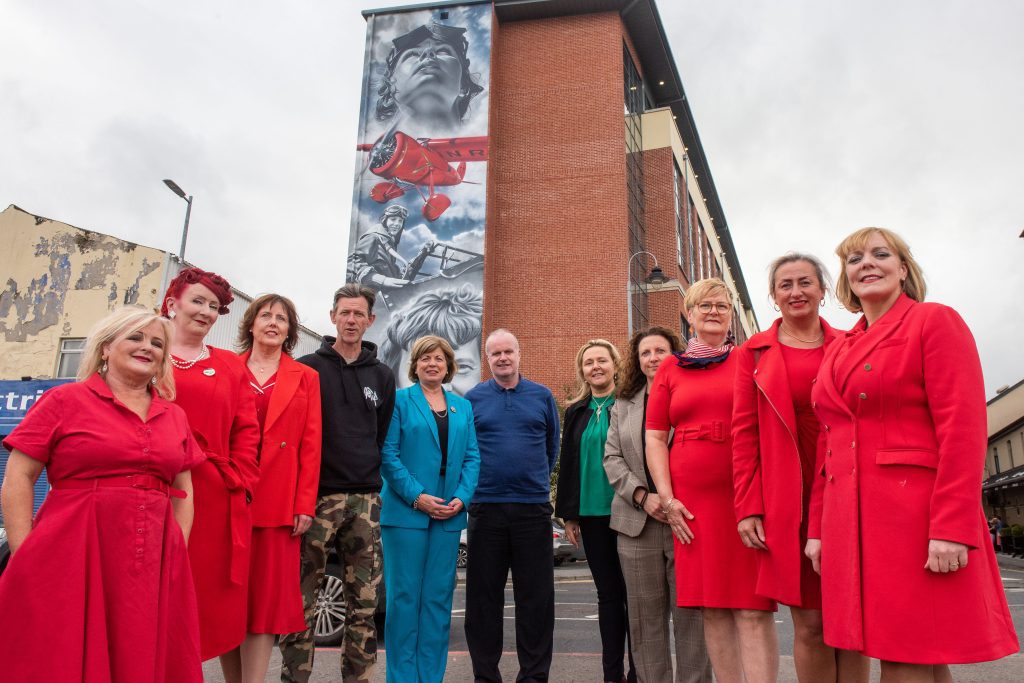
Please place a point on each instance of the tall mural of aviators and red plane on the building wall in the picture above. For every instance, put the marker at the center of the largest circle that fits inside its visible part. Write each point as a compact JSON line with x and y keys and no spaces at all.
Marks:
{"x":419,"y":202}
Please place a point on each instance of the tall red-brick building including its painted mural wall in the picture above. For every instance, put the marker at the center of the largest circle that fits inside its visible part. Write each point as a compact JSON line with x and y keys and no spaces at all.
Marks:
{"x":594,"y":176}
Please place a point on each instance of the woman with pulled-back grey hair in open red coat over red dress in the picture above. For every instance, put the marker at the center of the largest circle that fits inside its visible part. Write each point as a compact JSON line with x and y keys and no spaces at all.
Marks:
{"x":775,"y":442}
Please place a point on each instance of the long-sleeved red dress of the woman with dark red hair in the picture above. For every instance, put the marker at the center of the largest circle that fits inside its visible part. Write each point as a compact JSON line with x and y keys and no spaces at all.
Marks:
{"x":216,"y":396}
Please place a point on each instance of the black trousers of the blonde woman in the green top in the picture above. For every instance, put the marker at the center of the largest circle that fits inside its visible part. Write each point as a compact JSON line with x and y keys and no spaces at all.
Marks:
{"x":601,"y":544}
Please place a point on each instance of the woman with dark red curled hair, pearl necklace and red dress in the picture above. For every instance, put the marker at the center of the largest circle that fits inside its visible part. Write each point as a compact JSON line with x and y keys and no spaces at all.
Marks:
{"x":214,"y":390}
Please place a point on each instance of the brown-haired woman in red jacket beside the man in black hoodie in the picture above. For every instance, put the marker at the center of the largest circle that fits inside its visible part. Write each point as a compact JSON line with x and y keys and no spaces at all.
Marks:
{"x":288,"y":408}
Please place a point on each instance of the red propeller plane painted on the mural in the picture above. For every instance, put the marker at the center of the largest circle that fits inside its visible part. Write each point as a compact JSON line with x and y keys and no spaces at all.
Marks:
{"x":408,"y":163}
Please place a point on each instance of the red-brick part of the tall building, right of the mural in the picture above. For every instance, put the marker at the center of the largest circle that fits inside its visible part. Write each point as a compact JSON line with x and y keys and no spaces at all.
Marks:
{"x":575,"y":193}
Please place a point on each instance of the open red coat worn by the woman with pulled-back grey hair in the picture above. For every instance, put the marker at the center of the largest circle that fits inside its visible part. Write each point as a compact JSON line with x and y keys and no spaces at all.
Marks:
{"x":766,"y":466}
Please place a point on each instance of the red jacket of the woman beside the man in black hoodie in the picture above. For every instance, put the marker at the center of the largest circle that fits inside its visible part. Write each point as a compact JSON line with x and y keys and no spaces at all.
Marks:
{"x":289,"y":461}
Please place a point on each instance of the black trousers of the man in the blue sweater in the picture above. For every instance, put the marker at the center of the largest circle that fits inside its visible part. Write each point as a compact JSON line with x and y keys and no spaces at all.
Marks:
{"x":517,"y":536}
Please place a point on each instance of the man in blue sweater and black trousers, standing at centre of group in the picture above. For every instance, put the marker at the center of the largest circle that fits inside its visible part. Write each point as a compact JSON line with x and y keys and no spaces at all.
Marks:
{"x":510,"y":517}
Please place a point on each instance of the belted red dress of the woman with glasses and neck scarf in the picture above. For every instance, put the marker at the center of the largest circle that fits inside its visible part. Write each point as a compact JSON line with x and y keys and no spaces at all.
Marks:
{"x":716,"y":570}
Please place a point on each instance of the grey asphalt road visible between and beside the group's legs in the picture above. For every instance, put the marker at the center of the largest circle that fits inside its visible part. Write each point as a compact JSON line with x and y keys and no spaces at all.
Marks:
{"x":578,"y":644}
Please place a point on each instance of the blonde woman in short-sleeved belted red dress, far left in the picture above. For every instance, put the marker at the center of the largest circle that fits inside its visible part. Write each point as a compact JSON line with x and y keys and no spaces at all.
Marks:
{"x":99,"y":587}
